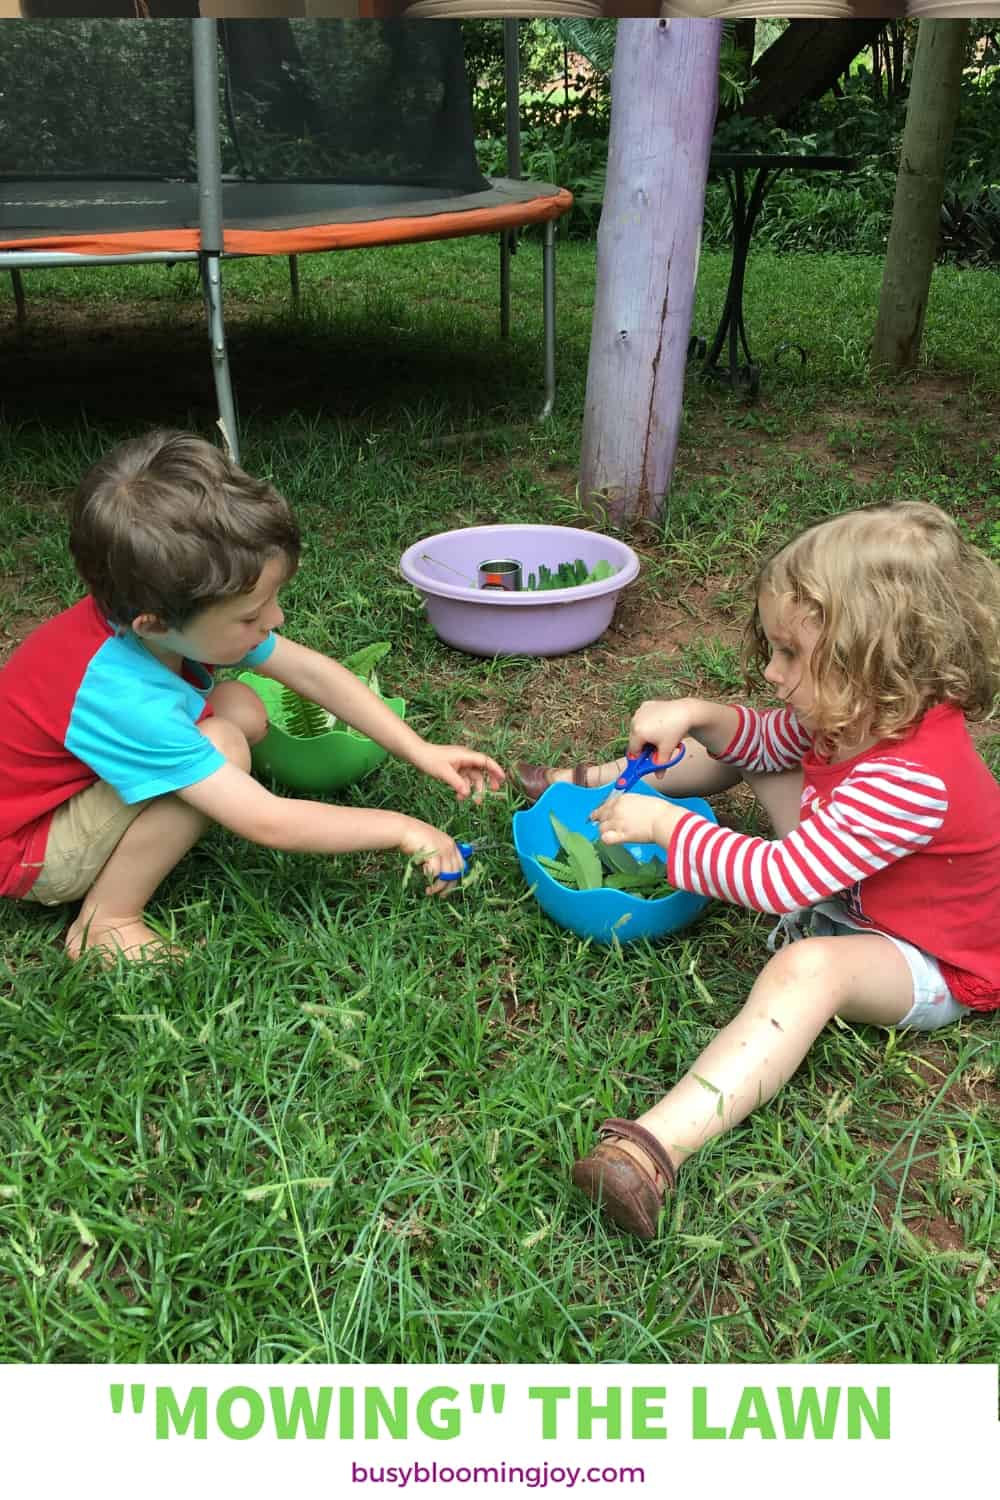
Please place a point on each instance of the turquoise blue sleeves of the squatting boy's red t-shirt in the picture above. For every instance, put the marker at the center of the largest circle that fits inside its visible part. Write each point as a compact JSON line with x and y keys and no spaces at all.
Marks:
{"x":136,"y":724}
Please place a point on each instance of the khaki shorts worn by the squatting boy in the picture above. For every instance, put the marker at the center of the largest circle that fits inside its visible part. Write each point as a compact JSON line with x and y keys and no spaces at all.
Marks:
{"x":83,"y":836}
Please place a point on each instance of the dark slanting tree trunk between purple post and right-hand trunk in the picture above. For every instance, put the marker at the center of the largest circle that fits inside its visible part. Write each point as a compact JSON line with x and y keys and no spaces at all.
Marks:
{"x":804,"y":62}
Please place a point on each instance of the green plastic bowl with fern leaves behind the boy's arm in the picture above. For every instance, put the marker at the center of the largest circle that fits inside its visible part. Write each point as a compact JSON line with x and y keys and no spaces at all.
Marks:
{"x":317,"y":764}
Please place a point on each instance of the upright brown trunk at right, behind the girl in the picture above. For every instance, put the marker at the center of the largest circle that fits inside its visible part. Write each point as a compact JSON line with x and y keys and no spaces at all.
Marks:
{"x":917,"y":209}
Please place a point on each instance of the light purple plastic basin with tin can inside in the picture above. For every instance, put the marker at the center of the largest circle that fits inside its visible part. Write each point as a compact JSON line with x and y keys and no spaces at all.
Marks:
{"x":524,"y":622}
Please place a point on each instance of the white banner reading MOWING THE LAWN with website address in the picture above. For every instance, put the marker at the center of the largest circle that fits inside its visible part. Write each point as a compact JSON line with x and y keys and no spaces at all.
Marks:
{"x":439,"y":1432}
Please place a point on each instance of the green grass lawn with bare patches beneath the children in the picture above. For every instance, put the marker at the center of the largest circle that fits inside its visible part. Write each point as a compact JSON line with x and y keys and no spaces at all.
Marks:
{"x":343,"y":1129}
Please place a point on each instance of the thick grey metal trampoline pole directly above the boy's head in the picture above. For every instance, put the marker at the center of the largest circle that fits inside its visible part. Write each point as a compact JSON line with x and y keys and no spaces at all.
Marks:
{"x":206,"y":80}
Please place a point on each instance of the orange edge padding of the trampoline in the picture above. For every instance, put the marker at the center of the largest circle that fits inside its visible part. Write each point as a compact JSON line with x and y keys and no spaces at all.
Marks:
{"x":528,"y":203}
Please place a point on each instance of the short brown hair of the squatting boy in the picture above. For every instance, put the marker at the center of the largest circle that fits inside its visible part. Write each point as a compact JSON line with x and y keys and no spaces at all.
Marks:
{"x":169,"y":526}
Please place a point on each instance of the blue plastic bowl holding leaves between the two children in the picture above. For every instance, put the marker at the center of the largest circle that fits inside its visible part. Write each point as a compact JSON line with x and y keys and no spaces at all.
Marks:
{"x":603,"y":916}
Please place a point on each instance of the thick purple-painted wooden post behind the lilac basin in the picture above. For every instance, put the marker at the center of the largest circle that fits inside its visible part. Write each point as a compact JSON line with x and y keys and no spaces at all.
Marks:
{"x":665,"y":91}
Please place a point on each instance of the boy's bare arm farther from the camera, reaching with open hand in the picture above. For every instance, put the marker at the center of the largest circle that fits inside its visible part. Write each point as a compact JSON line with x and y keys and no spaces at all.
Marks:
{"x":343,"y":694}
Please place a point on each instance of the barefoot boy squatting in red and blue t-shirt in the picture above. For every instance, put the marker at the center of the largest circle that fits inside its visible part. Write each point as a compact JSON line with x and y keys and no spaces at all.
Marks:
{"x":118,"y":748}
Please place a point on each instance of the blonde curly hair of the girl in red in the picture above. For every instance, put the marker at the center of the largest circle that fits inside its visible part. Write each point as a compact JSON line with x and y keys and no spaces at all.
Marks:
{"x":909,"y":617}
